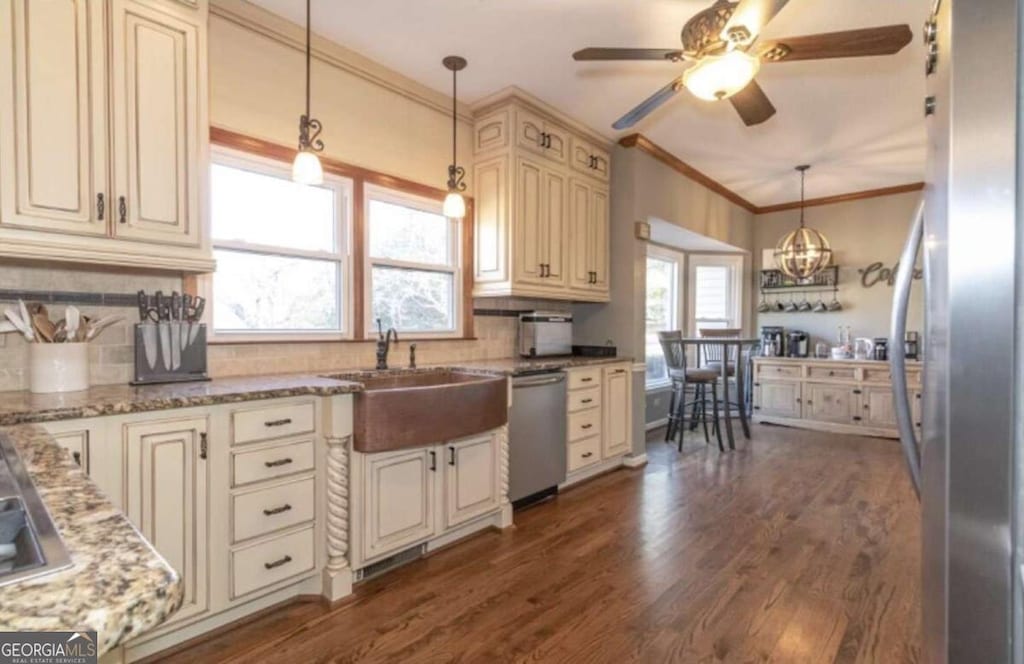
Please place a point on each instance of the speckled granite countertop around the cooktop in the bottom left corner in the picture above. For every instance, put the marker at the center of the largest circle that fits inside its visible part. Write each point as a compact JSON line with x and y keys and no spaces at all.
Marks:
{"x":118,"y":586}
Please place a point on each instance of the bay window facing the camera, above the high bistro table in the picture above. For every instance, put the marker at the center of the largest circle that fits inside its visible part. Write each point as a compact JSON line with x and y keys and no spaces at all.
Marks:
{"x":715,"y":285}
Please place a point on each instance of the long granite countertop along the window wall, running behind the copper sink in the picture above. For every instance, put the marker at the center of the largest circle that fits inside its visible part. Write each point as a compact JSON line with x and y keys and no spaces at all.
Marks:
{"x":24,"y":408}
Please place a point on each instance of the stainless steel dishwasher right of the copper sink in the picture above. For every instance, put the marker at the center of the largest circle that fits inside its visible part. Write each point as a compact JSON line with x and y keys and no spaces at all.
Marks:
{"x":537,"y":437}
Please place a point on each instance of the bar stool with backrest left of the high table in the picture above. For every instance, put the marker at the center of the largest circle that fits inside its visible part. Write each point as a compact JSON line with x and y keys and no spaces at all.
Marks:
{"x":682,"y":376}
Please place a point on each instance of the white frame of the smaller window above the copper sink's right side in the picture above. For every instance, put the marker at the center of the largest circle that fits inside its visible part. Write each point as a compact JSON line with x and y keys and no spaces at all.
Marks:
{"x":455,"y":268}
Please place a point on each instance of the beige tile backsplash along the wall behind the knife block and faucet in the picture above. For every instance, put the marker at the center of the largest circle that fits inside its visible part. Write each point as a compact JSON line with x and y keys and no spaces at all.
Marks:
{"x":112,"y":355}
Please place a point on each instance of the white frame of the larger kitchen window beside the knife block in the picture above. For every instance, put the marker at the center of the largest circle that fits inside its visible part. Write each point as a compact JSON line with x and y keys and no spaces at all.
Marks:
{"x":345,"y":189}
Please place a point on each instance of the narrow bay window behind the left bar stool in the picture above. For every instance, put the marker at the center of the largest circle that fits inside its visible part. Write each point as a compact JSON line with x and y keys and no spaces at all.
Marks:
{"x":663,"y":308}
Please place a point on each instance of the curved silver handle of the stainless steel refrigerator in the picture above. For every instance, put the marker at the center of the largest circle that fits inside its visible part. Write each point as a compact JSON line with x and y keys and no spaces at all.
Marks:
{"x":898,"y":359}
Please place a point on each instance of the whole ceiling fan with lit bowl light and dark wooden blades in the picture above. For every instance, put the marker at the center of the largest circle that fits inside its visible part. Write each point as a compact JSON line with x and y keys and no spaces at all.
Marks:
{"x":721,"y":44}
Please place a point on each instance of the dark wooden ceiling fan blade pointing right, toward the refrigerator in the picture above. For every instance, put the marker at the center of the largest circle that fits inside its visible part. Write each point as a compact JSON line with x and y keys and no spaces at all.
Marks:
{"x":885,"y":40}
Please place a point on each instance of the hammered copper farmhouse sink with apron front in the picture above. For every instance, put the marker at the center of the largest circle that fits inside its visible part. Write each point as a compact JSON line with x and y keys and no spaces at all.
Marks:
{"x":403,"y":410}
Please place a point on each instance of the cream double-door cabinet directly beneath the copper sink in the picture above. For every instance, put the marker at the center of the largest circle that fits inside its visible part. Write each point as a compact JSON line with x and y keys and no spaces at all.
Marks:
{"x":406,"y":499}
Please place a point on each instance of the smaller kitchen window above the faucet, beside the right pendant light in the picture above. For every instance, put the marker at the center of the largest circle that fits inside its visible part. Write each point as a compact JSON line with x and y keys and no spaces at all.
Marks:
{"x":413,"y":265}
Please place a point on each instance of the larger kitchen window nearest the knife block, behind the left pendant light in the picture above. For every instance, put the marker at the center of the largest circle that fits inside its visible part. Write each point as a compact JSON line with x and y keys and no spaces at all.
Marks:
{"x":282,"y":250}
